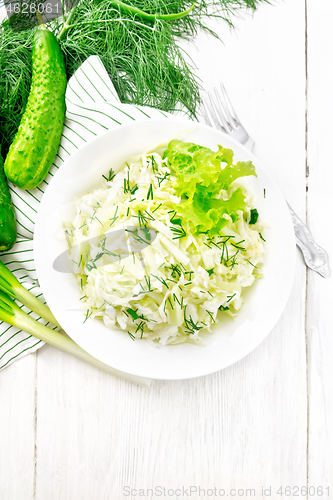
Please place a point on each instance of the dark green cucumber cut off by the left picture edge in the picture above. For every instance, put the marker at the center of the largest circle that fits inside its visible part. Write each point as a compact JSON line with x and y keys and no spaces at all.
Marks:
{"x":8,"y":229}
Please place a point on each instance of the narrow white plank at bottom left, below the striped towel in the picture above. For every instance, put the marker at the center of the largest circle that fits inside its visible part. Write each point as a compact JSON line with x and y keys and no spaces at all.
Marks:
{"x":17,"y":424}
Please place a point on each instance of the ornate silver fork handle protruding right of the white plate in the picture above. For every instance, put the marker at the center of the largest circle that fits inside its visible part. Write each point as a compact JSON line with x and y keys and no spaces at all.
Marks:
{"x":315,"y":257}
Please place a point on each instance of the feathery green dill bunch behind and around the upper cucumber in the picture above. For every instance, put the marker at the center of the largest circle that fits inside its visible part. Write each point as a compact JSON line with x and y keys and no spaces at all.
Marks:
{"x":142,"y":57}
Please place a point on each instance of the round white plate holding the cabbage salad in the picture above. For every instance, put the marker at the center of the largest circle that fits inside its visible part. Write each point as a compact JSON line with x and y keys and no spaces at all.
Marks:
{"x":232,"y":339}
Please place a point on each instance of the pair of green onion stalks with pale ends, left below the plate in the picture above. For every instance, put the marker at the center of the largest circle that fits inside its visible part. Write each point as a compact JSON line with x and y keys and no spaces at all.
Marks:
{"x":12,"y":314}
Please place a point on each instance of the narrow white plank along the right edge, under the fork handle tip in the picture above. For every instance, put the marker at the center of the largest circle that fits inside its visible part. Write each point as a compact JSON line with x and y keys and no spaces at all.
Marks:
{"x":320,"y":291}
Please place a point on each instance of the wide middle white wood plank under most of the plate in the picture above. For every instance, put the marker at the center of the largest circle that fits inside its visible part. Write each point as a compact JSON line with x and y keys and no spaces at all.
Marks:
{"x":245,"y":427}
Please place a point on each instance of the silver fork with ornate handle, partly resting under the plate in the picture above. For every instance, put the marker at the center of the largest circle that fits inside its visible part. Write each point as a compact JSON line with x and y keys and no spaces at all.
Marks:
{"x":219,"y":113}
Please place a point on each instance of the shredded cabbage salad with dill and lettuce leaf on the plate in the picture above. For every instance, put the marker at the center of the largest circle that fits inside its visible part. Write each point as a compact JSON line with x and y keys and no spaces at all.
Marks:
{"x":168,"y":243}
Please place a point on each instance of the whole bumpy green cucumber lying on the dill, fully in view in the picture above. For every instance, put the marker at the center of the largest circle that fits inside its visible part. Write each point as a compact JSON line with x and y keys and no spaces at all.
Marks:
{"x":37,"y":140}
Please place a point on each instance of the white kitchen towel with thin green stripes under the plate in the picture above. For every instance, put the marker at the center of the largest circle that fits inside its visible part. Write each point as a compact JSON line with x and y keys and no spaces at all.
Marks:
{"x":93,"y":107}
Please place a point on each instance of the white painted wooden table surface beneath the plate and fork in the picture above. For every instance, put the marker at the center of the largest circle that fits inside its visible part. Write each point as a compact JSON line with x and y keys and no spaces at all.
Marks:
{"x":70,"y":432}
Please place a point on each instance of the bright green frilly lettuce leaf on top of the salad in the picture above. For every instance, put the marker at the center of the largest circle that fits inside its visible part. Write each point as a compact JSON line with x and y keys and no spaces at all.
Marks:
{"x":201,"y":176}
